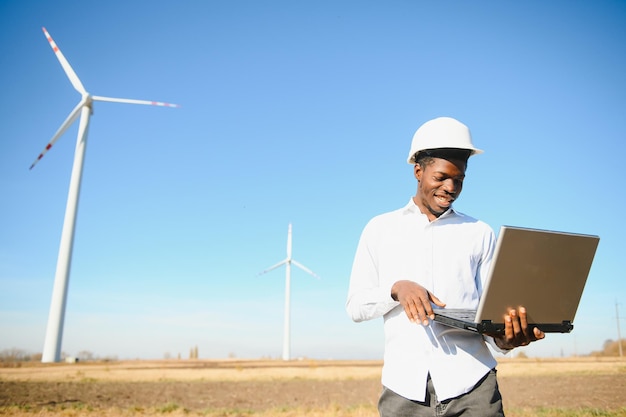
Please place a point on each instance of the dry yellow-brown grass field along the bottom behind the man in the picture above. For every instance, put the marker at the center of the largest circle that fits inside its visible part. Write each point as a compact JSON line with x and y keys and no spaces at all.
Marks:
{"x":212,"y":388}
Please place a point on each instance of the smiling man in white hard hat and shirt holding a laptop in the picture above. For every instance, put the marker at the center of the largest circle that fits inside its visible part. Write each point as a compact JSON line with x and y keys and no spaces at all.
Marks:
{"x":427,"y":255}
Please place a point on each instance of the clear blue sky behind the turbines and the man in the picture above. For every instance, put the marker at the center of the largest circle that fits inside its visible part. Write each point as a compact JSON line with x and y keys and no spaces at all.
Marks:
{"x":292,"y":112}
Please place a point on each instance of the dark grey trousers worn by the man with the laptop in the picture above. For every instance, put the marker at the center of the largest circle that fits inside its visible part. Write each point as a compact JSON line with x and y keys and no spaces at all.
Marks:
{"x":484,"y":400}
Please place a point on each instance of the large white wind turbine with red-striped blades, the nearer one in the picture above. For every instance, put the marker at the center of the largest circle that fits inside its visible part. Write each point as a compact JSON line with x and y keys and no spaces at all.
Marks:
{"x":54,"y":332}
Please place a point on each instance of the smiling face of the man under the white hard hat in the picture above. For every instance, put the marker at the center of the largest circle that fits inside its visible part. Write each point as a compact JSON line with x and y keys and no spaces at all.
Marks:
{"x":439,"y":184}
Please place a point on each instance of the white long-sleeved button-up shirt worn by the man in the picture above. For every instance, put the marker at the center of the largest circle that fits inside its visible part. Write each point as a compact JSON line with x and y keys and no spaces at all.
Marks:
{"x":450,"y":257}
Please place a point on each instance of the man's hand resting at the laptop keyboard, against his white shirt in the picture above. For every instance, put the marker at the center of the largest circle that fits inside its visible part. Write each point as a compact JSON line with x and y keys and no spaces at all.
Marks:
{"x":416,"y":301}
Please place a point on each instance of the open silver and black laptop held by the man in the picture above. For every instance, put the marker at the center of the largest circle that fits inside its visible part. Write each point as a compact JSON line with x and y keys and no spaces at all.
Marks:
{"x":544,"y":271}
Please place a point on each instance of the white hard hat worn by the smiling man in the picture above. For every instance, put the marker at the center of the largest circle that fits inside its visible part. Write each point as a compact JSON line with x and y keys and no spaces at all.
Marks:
{"x":442,"y":132}
